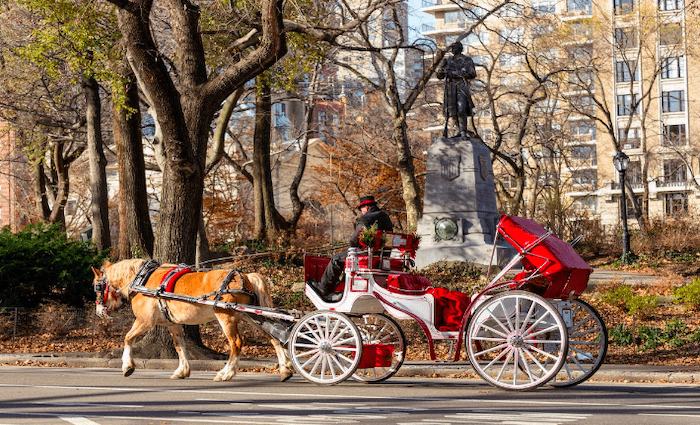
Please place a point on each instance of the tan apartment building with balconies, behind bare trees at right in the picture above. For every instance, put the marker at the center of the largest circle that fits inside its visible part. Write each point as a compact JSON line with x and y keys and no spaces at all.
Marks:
{"x":609,"y":75}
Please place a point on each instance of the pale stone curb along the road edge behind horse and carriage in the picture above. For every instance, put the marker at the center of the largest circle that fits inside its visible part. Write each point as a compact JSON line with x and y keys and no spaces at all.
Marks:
{"x":607,"y":373}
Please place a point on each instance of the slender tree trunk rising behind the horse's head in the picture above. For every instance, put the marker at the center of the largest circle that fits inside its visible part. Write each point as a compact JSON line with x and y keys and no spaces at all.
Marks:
{"x":96,"y":157}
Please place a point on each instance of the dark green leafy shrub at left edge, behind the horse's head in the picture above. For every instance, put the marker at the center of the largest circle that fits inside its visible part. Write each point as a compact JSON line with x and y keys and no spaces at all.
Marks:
{"x":39,"y":264}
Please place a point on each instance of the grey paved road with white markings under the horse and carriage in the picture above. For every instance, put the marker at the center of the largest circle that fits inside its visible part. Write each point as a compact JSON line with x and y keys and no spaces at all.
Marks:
{"x":96,"y":396}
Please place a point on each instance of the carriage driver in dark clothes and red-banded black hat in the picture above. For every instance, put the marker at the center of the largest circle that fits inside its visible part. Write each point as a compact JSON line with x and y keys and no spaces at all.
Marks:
{"x":371,"y":214}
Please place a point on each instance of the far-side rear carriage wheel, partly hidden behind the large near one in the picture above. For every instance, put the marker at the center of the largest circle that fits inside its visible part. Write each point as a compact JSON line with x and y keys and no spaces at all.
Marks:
{"x":588,"y":344}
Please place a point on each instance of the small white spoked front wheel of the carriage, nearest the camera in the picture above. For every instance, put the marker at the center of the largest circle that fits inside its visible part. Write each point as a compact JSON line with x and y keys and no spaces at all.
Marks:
{"x":325,"y":347}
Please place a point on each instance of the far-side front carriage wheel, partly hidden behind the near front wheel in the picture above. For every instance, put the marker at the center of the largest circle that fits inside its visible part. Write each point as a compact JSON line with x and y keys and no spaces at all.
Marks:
{"x":381,"y":329}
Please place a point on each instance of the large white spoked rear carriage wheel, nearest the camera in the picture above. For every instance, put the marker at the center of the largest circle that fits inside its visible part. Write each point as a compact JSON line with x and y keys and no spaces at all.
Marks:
{"x":516,"y":340}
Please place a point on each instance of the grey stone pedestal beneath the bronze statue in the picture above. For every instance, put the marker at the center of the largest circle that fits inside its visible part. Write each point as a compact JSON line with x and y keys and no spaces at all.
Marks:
{"x":459,"y":213}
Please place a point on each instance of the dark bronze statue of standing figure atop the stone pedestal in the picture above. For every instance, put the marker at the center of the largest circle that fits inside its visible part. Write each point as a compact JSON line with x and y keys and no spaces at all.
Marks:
{"x":458,"y":104}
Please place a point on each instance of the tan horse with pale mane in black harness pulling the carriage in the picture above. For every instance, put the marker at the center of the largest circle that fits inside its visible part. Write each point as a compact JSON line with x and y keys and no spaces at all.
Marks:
{"x":116,"y":278}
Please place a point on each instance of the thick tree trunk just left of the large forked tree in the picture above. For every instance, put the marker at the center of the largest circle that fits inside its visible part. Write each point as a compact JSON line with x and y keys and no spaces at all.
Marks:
{"x":136,"y":232}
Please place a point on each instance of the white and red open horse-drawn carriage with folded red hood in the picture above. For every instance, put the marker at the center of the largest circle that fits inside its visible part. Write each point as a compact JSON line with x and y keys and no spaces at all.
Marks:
{"x":519,"y":332}
